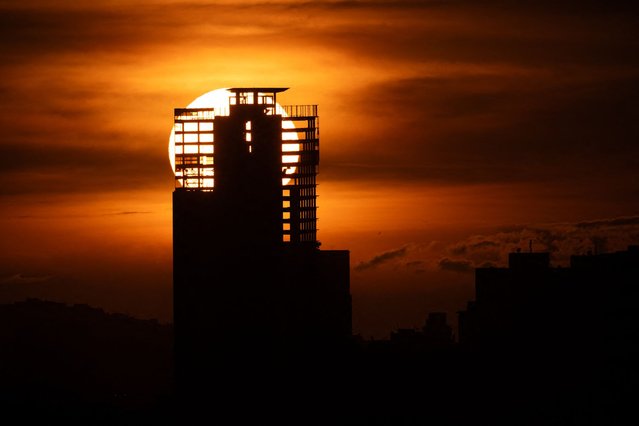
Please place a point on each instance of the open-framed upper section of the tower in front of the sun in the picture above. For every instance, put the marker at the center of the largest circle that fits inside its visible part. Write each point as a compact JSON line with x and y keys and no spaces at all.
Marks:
{"x":254,"y":153}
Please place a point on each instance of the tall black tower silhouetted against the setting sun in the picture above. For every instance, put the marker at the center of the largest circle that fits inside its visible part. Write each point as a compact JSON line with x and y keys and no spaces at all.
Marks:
{"x":250,"y":282}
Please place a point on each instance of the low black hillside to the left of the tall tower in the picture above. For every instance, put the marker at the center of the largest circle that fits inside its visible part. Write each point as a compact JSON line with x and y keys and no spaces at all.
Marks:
{"x":79,"y":364}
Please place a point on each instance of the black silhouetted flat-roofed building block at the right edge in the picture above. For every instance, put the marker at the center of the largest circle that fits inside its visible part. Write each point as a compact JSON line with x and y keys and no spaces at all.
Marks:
{"x":554,"y":345}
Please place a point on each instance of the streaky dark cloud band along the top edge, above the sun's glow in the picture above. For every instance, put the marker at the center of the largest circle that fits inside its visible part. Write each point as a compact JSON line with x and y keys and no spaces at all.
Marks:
{"x":411,"y":31}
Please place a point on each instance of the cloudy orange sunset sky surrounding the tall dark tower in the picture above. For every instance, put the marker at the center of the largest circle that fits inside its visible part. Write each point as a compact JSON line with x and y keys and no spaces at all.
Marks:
{"x":451,"y":133}
